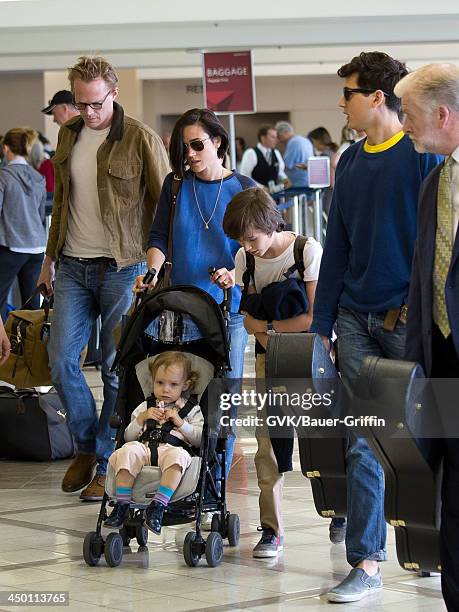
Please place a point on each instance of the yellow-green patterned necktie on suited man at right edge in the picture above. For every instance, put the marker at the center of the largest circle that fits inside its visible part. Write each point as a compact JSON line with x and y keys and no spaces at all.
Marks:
{"x":443,"y":247}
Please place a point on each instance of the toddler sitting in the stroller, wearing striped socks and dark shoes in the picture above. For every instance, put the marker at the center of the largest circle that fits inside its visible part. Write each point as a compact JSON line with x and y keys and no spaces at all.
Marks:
{"x":163,"y":431}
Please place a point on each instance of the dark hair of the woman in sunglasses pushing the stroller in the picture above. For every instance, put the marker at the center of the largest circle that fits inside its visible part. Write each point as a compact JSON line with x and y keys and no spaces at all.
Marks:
{"x":210,"y":124}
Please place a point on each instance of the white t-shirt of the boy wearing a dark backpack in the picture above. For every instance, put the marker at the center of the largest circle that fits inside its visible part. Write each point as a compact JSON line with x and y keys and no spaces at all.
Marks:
{"x":271,"y":270}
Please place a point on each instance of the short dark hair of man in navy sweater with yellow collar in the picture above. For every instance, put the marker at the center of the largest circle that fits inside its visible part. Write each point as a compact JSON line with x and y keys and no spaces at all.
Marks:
{"x":377,"y":70}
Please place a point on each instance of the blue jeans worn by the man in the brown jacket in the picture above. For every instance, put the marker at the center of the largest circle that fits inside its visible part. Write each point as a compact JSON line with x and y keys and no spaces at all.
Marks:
{"x":80,"y":295}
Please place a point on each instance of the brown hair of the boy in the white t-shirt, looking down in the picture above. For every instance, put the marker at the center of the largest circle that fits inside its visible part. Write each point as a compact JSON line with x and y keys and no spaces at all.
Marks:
{"x":252,"y":208}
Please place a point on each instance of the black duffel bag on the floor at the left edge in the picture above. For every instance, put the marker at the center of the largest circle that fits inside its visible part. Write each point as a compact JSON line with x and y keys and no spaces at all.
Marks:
{"x":33,"y":426}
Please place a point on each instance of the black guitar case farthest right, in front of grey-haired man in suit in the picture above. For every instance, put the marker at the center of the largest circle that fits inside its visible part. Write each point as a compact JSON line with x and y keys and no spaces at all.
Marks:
{"x":397,"y":392}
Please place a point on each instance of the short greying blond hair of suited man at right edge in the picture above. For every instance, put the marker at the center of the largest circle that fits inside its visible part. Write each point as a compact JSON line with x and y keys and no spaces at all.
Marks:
{"x":432,"y":86}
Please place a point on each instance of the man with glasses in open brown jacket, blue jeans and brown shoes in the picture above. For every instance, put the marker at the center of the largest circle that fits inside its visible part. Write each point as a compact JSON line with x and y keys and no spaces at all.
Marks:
{"x":109,"y":170}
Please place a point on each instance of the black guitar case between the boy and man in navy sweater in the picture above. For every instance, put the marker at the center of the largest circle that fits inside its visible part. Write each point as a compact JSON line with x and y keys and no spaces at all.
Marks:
{"x":300,"y":361}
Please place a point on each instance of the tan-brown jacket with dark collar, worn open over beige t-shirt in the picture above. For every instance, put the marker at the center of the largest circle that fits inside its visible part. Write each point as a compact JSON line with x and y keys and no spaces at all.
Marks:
{"x":131,"y":166}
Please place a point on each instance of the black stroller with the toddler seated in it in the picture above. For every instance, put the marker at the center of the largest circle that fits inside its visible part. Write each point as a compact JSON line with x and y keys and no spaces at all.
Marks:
{"x":200,"y":487}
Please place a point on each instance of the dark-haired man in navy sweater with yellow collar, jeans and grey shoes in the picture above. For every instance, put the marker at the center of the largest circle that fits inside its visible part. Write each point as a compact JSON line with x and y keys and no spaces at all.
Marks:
{"x":364,"y":281}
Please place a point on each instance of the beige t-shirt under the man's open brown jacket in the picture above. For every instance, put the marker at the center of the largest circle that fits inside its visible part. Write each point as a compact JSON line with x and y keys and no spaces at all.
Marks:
{"x":86,"y":235}
